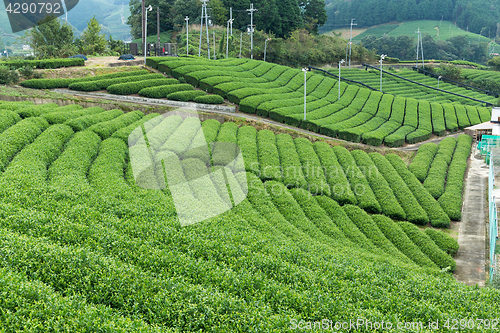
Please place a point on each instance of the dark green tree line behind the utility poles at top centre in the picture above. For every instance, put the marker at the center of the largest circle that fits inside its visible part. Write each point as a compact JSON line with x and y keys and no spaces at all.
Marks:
{"x":279,"y":17}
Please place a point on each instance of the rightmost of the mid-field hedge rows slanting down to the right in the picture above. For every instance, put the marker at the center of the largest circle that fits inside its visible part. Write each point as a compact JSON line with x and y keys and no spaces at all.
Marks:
{"x":437,"y":216}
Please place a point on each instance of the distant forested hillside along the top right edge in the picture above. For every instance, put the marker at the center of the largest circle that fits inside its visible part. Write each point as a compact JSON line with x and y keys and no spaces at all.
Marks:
{"x":479,"y":16}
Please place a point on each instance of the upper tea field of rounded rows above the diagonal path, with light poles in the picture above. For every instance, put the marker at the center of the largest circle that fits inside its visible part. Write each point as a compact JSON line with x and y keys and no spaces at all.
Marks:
{"x":349,"y":113}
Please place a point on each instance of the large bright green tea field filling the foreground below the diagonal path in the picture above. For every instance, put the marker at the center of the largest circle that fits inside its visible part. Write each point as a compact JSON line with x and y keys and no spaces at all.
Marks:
{"x":84,"y":248}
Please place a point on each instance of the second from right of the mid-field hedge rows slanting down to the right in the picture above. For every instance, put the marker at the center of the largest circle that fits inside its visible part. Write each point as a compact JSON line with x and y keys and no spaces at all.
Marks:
{"x":414,"y":212}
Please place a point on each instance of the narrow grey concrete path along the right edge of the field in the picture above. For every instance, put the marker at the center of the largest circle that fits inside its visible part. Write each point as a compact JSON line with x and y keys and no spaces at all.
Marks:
{"x":471,"y":256}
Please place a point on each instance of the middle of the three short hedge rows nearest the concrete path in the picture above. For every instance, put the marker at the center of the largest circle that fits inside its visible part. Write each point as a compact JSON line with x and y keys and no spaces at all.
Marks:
{"x":436,"y":178}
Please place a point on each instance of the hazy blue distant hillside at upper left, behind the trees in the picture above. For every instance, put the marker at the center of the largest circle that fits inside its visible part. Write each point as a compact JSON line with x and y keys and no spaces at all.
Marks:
{"x":111,"y":15}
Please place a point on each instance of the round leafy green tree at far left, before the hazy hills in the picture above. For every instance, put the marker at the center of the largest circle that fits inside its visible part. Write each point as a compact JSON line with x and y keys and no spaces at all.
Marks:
{"x":50,"y":39}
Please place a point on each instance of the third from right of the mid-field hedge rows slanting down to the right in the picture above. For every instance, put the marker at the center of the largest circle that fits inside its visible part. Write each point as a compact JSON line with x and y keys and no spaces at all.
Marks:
{"x":385,"y":197}
